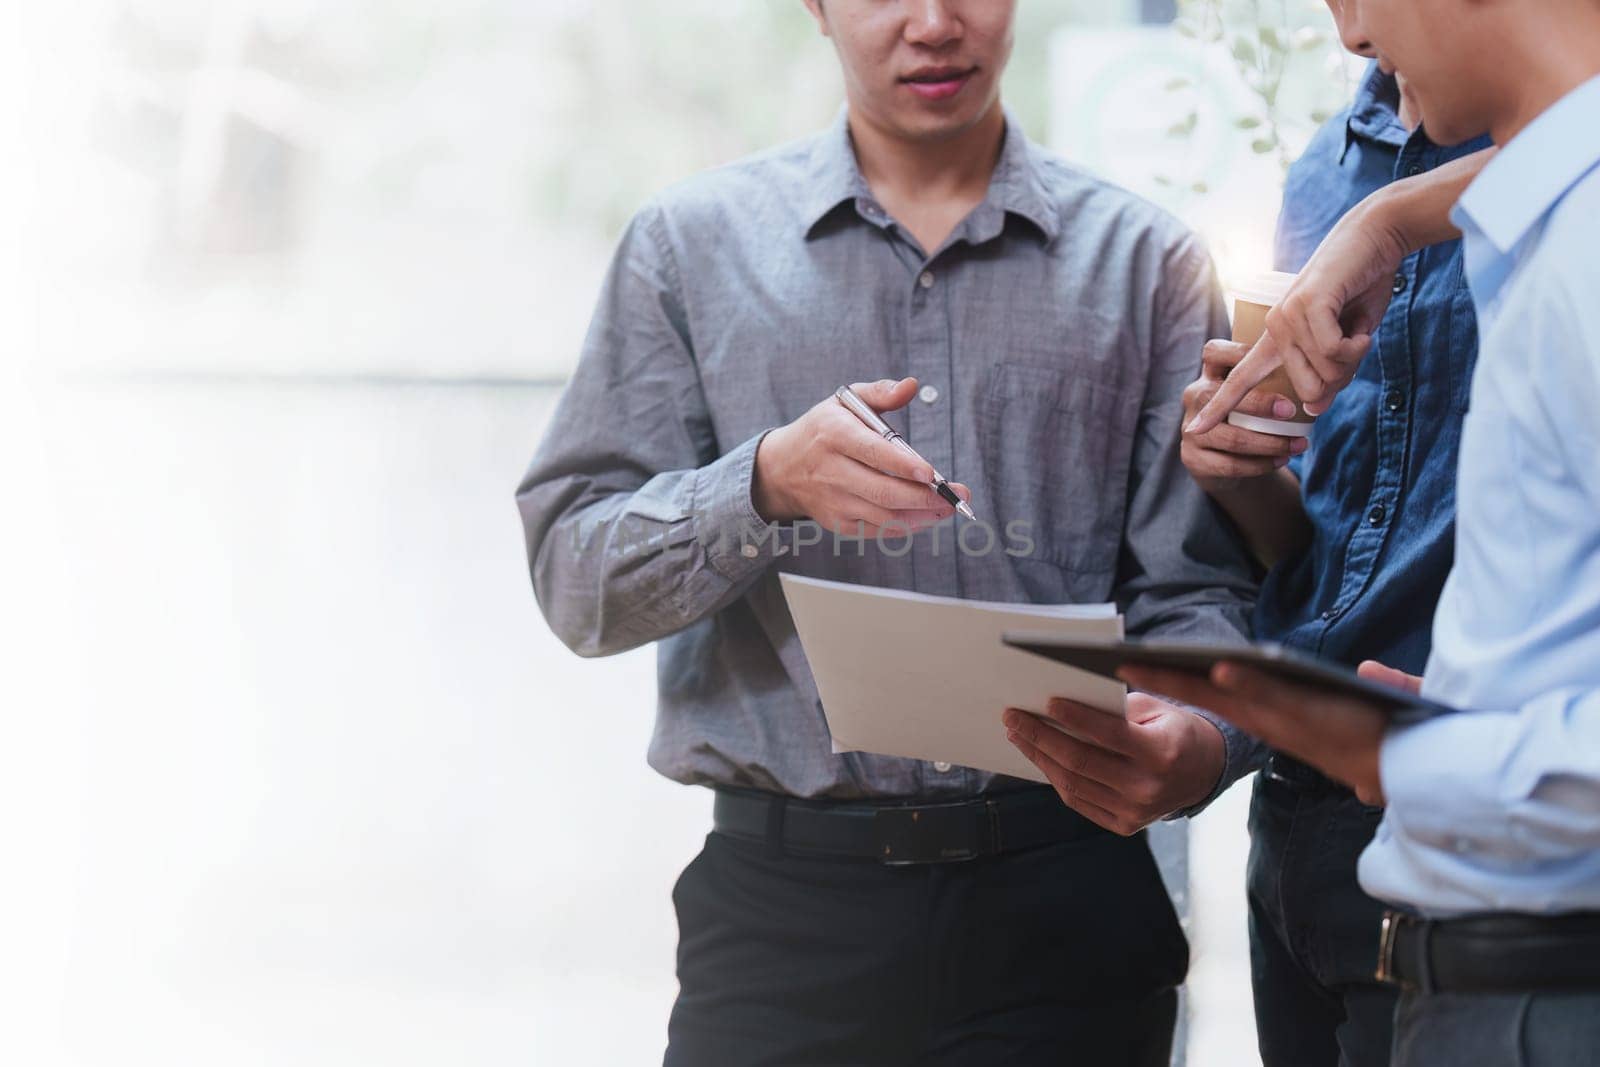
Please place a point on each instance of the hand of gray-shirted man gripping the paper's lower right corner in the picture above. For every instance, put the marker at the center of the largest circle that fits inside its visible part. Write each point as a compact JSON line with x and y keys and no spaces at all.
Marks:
{"x":1122,"y":772}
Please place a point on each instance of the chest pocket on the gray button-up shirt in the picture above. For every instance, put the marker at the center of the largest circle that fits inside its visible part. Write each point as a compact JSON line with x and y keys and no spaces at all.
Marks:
{"x":1057,"y":450}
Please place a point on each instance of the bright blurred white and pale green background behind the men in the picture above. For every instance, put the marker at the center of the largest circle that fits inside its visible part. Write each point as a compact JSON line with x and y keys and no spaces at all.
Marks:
{"x":295,"y":289}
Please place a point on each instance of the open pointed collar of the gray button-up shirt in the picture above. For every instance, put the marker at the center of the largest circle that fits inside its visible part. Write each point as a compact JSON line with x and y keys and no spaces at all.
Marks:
{"x":1017,"y":186}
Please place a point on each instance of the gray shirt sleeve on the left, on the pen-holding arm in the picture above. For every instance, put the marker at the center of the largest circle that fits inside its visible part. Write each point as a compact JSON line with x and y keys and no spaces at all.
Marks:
{"x":636,"y":524}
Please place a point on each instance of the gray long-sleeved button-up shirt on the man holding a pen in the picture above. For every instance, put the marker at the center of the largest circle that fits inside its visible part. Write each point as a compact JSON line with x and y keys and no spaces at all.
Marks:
{"x":1054,"y":335}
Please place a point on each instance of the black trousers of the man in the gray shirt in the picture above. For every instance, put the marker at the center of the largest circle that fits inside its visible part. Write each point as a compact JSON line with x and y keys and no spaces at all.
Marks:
{"x":1068,"y":954}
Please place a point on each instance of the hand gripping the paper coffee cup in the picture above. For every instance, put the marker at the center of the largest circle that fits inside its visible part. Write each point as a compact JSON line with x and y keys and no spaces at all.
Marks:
{"x":1228,"y":455}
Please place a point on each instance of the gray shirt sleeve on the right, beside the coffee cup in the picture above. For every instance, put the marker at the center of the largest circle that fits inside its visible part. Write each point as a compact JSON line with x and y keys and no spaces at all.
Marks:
{"x":1183,"y":572}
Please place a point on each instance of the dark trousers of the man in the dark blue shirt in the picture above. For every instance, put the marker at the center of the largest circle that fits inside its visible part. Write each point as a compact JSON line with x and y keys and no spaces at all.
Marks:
{"x":1313,"y":932}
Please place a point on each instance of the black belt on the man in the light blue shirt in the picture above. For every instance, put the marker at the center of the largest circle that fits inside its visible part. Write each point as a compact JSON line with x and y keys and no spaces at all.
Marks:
{"x":1490,"y":954}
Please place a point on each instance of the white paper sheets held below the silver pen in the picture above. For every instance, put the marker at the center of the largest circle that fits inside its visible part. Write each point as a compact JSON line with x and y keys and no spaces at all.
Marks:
{"x":927,"y":677}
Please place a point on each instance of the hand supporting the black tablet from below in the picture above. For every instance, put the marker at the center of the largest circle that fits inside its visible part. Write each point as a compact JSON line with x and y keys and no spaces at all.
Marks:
{"x":1338,"y":735}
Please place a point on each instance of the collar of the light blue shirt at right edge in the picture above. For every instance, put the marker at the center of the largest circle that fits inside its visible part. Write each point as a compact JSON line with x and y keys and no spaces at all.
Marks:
{"x":1535,"y":170}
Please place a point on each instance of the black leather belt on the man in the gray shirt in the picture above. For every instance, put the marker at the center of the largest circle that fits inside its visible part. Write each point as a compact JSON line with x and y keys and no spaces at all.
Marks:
{"x":902,"y":833}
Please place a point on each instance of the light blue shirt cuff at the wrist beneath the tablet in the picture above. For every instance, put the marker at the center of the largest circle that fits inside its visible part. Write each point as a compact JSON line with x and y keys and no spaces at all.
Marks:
{"x":1441,"y":777}
